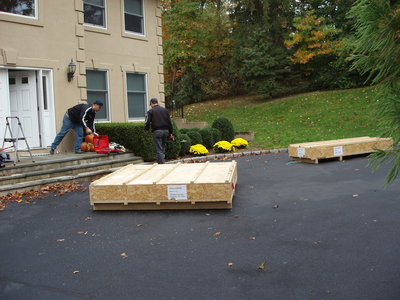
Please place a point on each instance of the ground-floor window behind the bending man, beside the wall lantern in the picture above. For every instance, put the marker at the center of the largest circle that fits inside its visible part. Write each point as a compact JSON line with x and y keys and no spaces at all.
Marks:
{"x":97,"y":89}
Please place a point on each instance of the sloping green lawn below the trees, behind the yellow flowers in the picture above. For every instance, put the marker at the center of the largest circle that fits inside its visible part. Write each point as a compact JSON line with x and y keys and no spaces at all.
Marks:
{"x":302,"y":118}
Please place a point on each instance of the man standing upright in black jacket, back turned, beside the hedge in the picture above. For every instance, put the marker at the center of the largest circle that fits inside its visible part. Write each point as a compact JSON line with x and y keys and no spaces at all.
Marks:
{"x":159,"y":120}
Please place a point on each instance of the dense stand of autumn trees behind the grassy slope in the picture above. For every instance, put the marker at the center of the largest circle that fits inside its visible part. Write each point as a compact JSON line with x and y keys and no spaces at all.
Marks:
{"x":218,"y":48}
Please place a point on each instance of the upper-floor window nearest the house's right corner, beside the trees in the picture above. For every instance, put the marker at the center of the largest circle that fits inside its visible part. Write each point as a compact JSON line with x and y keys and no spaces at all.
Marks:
{"x":133,"y":13}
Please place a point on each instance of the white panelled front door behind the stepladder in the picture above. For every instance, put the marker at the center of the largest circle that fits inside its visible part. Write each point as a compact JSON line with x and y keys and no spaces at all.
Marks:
{"x":24,"y":105}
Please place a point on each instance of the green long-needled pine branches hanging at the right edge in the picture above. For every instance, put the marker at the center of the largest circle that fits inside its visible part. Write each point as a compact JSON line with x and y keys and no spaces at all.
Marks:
{"x":377,"y":53}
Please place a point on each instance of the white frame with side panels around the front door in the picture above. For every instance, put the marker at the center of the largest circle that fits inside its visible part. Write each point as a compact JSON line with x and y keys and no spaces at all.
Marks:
{"x":47,"y":126}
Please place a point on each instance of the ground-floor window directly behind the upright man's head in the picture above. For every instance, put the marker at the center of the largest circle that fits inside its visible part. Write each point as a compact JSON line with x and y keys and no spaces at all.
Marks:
{"x":136,"y":87}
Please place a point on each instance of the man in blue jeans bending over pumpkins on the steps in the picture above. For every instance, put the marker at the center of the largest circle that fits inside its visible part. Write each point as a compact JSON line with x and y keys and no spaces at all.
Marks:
{"x":79,"y":117}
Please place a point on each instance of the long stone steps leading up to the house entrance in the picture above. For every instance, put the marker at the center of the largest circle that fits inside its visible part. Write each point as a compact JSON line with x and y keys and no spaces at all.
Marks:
{"x":62,"y":169}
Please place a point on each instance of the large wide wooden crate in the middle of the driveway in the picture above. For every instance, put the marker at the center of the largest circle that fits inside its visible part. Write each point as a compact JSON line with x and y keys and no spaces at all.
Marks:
{"x":166,"y":186}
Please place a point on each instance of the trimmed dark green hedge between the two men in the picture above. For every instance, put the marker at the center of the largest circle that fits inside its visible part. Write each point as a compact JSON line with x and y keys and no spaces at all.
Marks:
{"x":132,"y":136}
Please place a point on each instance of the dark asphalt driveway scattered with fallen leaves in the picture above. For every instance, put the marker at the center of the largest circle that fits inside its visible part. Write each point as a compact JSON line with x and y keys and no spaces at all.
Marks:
{"x":296,"y":231}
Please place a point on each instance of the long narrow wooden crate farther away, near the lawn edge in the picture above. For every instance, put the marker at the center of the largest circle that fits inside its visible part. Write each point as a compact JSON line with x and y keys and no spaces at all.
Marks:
{"x":314,"y":151}
